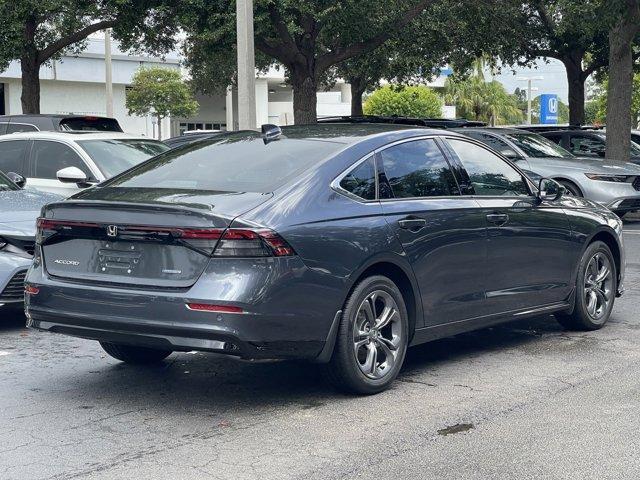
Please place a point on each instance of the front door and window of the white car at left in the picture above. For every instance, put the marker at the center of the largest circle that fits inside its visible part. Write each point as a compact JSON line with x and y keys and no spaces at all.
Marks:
{"x":46,"y":159}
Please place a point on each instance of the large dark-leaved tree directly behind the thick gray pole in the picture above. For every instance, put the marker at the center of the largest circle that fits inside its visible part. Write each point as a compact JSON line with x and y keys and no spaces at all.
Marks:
{"x":308,"y":37}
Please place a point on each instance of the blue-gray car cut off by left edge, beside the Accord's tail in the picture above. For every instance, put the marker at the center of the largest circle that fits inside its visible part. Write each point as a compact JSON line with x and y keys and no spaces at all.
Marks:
{"x":19,"y":210}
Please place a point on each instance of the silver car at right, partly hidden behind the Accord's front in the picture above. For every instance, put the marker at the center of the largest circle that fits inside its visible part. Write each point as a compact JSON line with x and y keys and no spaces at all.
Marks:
{"x":616,"y":187}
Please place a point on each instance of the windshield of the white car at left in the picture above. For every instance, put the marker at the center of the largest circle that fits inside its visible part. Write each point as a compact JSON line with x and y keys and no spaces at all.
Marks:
{"x":117,"y":155}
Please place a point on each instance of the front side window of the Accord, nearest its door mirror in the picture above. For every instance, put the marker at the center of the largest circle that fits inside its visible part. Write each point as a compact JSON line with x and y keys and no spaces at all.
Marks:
{"x":488,"y":173}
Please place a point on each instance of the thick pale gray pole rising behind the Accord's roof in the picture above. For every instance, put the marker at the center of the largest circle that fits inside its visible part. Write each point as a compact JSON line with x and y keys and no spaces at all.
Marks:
{"x":246,"y":66}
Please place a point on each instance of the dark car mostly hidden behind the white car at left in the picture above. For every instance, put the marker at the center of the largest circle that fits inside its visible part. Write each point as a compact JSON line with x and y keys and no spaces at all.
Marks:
{"x":59,"y":123}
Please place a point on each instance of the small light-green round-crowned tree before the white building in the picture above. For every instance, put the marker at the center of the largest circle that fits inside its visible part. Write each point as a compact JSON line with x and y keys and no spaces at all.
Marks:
{"x":162,"y":93}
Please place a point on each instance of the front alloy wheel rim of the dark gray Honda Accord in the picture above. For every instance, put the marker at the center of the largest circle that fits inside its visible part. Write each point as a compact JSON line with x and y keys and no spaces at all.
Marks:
{"x":598,"y":286}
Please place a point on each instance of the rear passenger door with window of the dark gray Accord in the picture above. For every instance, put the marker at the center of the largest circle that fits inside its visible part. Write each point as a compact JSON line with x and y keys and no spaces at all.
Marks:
{"x":442,"y":232}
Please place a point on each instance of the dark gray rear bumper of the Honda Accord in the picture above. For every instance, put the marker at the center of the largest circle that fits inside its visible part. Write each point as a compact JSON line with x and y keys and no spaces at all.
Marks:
{"x":282,"y":317}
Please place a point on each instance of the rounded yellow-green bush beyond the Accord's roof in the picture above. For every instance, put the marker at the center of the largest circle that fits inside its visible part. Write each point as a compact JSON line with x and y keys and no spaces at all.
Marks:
{"x":416,"y":102}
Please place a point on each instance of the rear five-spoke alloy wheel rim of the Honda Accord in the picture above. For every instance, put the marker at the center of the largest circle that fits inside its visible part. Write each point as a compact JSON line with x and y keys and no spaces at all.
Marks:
{"x":377,"y":334}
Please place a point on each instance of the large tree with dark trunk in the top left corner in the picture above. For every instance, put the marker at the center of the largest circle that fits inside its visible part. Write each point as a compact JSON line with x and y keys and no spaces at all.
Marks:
{"x":38,"y":31}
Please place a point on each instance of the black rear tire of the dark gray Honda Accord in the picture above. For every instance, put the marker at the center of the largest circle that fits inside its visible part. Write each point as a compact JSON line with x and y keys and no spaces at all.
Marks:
{"x":344,"y":369}
